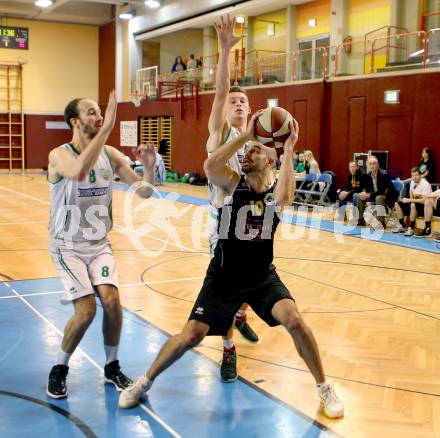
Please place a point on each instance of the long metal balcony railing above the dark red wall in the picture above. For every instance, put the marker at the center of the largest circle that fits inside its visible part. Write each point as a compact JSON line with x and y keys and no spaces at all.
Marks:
{"x":364,"y":56}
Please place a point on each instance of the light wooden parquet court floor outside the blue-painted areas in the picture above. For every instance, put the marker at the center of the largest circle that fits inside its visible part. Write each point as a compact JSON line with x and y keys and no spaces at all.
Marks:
{"x":374,"y":307}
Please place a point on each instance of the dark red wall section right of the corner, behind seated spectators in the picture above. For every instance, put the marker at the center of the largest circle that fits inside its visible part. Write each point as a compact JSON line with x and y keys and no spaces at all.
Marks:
{"x":357,"y":120}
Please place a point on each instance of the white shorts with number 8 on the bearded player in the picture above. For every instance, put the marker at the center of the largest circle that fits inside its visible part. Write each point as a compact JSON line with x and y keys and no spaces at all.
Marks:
{"x":81,"y":268}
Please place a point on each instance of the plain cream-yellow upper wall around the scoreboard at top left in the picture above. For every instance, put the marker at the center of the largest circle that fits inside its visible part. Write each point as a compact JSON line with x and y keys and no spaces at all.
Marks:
{"x":62,"y":63}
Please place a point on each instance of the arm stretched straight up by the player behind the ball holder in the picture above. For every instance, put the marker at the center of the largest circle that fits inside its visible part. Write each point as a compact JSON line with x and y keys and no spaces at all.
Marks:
{"x":217,"y":119}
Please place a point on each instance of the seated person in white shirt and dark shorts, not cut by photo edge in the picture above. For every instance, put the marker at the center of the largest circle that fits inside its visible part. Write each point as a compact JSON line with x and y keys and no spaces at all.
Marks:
{"x":414,"y":205}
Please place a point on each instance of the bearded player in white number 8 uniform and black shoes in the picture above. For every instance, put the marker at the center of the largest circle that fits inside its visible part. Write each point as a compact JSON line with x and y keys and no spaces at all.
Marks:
{"x":81,"y":175}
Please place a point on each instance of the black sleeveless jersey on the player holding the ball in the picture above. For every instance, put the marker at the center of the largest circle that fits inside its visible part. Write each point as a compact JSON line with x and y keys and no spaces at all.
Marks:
{"x":246,"y":228}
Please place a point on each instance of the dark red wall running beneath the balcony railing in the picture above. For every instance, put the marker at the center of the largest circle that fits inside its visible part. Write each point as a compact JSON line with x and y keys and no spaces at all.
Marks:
{"x":336,"y":119}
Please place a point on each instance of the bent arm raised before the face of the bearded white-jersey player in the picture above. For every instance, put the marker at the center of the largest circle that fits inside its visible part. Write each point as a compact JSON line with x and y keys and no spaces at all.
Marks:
{"x":62,"y":164}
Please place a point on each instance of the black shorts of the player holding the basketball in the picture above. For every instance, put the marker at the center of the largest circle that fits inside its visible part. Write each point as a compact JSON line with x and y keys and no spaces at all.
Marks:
{"x":218,"y":303}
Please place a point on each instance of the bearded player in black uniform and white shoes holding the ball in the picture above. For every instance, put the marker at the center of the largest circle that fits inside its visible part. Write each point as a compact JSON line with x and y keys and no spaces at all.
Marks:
{"x":241,"y":269}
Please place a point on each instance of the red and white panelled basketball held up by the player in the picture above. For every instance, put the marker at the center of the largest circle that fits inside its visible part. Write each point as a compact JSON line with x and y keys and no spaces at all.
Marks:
{"x":272,"y":128}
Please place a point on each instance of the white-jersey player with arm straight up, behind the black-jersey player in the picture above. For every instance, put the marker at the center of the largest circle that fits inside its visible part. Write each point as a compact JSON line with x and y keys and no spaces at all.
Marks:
{"x":229,"y":114}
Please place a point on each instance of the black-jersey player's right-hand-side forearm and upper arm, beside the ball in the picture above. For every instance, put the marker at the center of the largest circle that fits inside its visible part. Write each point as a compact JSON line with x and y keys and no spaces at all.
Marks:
{"x":285,"y":188}
